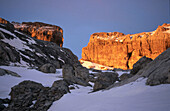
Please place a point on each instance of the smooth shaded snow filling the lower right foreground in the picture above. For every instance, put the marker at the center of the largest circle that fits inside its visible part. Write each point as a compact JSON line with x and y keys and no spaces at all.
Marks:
{"x":135,"y":96}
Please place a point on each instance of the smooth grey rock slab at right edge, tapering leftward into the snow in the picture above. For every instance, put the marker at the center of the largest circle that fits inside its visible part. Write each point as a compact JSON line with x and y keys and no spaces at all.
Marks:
{"x":157,"y":72}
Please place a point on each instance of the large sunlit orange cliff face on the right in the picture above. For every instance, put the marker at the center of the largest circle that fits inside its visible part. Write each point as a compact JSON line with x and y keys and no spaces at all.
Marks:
{"x":118,"y":50}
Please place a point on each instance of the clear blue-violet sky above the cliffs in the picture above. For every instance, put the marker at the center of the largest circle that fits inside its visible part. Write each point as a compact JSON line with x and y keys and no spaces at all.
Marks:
{"x":81,"y":18}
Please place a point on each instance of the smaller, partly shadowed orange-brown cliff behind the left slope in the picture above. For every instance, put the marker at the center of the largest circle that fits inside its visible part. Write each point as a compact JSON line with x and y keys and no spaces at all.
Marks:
{"x":41,"y":31}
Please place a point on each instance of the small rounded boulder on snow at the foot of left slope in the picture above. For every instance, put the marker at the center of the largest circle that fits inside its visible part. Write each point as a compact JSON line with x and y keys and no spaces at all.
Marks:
{"x":48,"y":68}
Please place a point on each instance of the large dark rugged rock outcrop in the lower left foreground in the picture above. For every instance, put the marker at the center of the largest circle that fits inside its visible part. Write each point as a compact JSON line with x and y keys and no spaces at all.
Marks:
{"x":32,"y":96}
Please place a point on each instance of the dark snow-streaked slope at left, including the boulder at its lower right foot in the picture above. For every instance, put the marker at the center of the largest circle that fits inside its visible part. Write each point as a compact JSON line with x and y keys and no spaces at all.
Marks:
{"x":18,"y":49}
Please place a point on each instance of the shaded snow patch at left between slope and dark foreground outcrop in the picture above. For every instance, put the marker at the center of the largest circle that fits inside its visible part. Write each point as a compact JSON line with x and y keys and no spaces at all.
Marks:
{"x":7,"y":81}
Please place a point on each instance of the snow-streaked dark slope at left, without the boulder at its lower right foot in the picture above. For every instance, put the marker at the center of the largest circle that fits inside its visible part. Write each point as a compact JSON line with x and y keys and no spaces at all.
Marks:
{"x":17,"y":48}
